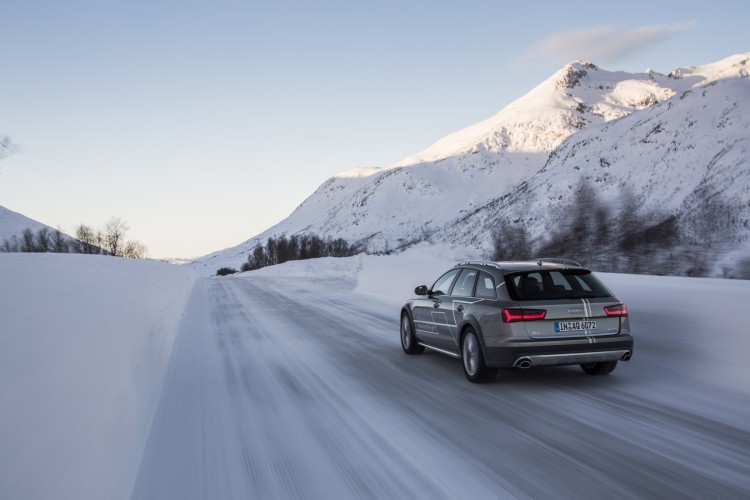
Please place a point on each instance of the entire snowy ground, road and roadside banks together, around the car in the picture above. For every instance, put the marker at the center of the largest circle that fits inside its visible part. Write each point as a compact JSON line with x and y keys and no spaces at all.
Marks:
{"x":289,"y":382}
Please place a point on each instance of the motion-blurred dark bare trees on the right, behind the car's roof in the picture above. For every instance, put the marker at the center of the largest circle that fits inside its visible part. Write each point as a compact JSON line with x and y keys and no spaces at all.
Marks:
{"x":624,"y":240}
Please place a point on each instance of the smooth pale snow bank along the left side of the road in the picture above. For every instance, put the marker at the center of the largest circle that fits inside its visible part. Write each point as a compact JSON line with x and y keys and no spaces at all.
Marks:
{"x":84,"y":345}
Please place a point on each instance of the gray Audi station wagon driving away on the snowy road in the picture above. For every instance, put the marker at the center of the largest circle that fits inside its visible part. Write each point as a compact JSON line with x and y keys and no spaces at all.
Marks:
{"x":519,"y":314}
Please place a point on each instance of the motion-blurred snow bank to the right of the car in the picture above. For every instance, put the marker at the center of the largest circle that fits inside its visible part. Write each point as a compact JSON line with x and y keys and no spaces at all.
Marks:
{"x":701,"y":319}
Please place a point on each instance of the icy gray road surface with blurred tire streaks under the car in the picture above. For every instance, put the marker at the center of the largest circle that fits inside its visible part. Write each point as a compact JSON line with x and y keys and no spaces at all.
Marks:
{"x":293,"y":388}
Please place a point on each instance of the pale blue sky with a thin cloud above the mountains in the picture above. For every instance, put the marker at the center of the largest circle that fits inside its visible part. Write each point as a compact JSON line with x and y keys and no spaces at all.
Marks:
{"x":204,"y":123}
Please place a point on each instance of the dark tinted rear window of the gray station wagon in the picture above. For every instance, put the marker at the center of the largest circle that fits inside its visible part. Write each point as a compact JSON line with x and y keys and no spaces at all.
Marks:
{"x":551,"y":285}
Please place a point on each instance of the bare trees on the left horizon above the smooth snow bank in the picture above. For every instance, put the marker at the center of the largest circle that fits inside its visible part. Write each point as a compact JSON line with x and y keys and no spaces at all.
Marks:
{"x":110,"y":240}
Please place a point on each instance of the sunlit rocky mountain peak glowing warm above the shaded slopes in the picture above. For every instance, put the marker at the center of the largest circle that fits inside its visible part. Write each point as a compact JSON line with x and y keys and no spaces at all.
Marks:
{"x":576,"y":96}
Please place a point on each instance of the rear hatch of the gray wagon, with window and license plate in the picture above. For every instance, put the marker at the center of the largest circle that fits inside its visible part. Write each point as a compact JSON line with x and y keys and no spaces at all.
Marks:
{"x":563,"y":303}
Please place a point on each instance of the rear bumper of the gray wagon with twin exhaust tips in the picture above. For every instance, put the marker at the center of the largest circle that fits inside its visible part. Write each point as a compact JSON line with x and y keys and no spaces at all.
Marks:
{"x":526,"y":353}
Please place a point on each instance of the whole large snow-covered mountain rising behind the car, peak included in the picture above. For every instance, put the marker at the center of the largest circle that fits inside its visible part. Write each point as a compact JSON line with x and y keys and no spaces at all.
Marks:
{"x":666,"y":144}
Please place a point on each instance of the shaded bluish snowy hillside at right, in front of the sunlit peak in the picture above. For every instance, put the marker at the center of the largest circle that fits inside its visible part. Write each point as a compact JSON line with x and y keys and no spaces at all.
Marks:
{"x":684,"y":160}
